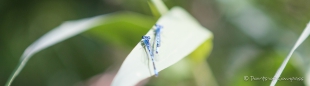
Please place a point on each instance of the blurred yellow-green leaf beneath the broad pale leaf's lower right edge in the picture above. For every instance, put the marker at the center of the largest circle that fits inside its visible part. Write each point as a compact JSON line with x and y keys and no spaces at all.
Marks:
{"x":191,"y":70}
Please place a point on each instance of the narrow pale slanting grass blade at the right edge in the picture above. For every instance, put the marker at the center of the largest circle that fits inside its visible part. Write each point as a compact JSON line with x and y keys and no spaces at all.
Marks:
{"x":302,"y":37}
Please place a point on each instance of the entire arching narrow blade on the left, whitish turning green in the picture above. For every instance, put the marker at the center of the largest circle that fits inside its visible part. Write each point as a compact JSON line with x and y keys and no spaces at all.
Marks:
{"x":69,"y":29}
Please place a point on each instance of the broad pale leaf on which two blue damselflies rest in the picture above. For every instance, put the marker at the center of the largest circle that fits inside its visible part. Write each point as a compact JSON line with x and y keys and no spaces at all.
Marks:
{"x":181,"y":35}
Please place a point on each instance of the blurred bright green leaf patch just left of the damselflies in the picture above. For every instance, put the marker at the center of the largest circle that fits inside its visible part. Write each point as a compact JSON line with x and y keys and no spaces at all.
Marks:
{"x":125,"y":32}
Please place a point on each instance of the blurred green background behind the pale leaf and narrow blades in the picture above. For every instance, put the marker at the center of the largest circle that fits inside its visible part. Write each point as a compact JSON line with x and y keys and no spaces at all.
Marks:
{"x":251,"y":38}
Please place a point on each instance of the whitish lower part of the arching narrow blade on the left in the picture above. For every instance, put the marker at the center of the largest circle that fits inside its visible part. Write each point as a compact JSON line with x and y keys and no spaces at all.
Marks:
{"x":58,"y":34}
